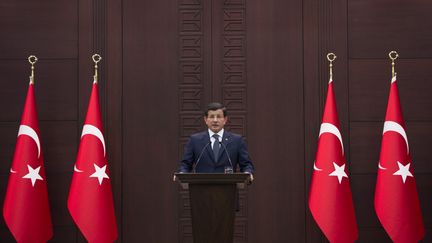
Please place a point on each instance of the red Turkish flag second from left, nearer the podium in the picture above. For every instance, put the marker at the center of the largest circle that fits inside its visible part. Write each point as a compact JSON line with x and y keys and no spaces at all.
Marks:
{"x":90,"y":199}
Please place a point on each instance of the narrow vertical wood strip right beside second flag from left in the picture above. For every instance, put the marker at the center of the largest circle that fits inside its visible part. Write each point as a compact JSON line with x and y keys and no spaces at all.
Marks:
{"x":114,"y":93}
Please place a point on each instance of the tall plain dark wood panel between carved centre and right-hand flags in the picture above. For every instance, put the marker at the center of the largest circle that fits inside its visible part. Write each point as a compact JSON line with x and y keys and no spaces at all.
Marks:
{"x":275,"y":121}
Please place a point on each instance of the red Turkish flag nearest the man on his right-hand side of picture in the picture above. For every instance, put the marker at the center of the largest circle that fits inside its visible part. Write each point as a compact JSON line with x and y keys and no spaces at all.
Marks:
{"x":330,"y":198}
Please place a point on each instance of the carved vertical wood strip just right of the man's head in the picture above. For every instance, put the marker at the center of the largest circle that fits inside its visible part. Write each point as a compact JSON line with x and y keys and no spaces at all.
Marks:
{"x":232,"y":81}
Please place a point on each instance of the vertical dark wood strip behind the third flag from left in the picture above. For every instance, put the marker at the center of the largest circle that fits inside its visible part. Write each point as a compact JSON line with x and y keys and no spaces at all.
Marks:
{"x":324,"y":31}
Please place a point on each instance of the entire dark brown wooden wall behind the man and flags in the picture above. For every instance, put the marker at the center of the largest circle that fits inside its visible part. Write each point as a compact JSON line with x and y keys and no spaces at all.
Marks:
{"x":163,"y":61}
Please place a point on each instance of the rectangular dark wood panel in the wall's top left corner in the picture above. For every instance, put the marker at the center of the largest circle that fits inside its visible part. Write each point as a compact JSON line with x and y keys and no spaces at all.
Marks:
{"x":46,"y":28}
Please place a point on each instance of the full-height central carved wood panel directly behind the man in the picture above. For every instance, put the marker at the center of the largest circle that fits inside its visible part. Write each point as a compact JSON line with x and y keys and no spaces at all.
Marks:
{"x":212,"y":67}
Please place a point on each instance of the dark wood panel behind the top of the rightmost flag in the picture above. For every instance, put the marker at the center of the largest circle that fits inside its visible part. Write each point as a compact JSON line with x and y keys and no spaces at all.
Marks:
{"x":369,"y":86}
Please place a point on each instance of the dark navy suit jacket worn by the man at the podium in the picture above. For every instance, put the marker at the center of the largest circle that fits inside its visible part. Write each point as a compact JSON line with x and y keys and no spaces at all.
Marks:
{"x":235,"y":147}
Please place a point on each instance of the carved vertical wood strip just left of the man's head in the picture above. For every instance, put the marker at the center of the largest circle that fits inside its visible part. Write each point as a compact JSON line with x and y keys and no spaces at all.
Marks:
{"x":191,"y":92}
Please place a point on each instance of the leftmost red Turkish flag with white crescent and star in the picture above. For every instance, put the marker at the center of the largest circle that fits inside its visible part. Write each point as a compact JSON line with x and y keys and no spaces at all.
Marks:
{"x":26,"y":208}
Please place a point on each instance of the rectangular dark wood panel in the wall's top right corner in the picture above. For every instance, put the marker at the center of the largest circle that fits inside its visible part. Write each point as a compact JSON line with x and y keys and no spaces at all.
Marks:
{"x":376,"y":27}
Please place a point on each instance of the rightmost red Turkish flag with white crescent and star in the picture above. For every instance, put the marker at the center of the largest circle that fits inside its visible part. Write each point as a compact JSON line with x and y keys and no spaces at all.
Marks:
{"x":396,"y":200}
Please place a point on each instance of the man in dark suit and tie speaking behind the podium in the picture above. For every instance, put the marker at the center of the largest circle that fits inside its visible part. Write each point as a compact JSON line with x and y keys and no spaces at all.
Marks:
{"x":216,"y":150}
